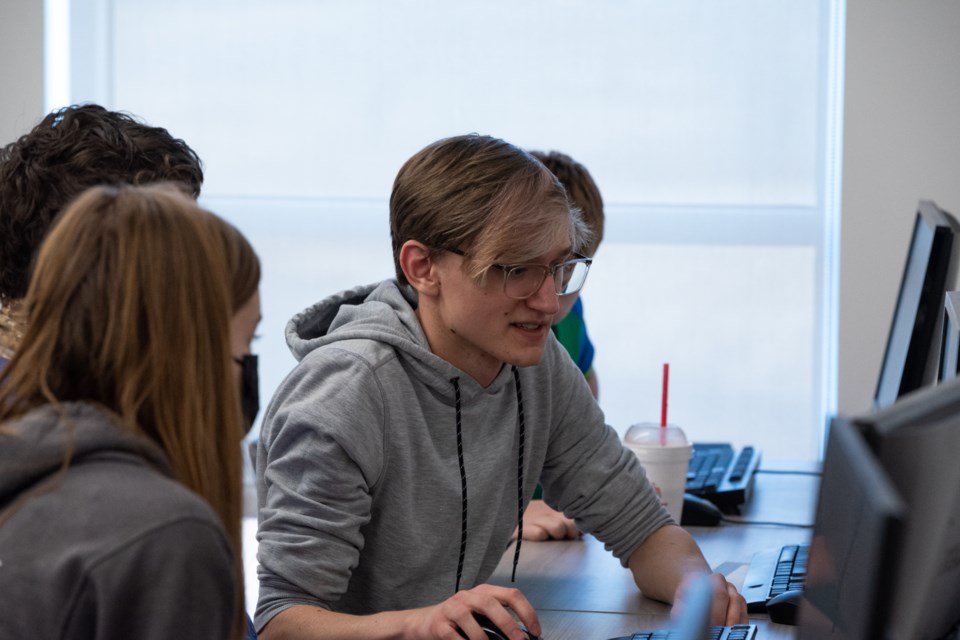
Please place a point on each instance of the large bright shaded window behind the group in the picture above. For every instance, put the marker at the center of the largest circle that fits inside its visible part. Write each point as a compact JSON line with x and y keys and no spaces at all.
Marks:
{"x":711,"y":128}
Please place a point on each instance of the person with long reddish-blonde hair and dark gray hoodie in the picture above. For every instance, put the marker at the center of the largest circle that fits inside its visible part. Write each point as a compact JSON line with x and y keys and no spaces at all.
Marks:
{"x":120,"y":426}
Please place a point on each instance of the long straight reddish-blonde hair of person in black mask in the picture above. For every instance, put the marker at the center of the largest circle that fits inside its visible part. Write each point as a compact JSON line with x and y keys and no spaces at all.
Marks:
{"x":129,"y":308}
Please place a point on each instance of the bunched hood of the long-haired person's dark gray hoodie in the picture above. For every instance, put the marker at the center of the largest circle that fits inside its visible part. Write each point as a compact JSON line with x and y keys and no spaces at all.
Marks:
{"x":33,"y":448}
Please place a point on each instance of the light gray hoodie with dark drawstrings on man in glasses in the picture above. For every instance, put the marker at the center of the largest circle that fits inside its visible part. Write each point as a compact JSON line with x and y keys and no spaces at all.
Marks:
{"x":363,"y":486}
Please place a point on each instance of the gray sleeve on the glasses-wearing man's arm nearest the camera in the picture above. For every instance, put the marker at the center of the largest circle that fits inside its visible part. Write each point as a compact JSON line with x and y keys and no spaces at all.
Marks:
{"x":311,"y":513}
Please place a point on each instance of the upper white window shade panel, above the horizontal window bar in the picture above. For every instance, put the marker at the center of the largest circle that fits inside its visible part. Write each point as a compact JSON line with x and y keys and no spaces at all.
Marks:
{"x":667,"y":102}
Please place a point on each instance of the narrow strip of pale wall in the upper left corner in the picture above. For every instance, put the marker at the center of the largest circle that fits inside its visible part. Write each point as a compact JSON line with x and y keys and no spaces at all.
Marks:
{"x":21,"y":67}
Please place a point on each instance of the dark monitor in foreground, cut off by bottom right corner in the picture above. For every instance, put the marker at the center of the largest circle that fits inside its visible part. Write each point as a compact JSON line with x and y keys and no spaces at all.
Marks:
{"x":917,"y":442}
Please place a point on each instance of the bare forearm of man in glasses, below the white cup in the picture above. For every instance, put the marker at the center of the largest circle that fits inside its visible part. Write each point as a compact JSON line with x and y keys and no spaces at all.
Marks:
{"x":660,"y":564}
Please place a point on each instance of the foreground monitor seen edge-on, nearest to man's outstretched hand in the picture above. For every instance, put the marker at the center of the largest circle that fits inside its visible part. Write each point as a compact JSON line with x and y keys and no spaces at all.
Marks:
{"x":859,"y":518}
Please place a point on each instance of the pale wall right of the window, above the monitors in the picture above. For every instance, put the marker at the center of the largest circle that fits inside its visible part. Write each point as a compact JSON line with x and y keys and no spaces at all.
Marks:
{"x":901,"y":143}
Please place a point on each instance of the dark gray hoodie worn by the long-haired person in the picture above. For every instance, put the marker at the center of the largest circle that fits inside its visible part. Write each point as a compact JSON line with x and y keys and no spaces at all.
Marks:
{"x":113,"y":547}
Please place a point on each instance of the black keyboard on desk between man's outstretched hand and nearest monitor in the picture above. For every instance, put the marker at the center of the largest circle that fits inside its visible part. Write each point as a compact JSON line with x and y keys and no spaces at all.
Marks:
{"x":773,"y":571}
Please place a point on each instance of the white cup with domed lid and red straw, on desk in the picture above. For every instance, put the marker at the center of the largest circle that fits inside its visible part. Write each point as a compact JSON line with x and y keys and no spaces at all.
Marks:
{"x":665,"y":454}
